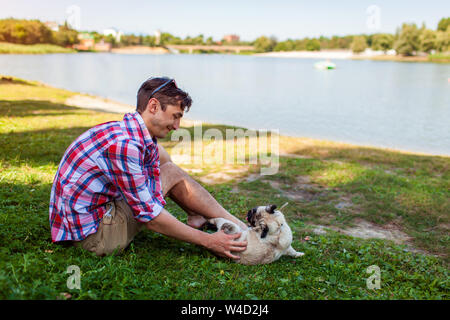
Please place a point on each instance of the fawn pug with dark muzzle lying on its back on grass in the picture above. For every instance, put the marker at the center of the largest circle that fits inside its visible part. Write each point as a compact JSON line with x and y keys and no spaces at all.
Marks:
{"x":268,"y":236}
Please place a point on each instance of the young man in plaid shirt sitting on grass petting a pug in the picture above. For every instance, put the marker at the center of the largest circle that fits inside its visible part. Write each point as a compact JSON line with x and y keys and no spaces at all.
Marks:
{"x":112,"y":181}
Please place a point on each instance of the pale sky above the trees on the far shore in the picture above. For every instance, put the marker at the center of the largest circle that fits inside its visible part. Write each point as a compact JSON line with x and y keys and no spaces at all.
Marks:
{"x":249,"y":19}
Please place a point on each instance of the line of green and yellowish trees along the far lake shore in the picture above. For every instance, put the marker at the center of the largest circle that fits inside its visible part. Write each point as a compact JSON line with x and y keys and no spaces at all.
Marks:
{"x":408,"y":39}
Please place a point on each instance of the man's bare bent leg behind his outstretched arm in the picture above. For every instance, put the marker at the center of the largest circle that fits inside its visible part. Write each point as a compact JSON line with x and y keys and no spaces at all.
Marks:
{"x":190,"y":195}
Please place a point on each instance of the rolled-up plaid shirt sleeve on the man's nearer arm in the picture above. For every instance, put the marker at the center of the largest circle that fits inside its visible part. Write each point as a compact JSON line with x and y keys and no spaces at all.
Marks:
{"x":125,"y":164}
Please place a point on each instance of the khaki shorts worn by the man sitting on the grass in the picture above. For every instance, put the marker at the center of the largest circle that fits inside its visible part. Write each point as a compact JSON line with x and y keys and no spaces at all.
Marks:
{"x":116,"y":230}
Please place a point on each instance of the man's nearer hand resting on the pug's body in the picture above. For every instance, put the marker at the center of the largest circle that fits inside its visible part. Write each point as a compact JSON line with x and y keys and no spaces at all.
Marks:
{"x":223,"y":244}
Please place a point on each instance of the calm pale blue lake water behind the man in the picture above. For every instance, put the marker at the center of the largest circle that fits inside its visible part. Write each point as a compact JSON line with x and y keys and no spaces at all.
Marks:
{"x":403,"y":106}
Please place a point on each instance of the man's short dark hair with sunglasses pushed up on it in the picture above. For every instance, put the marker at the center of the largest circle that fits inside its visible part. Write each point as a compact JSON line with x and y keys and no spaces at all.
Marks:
{"x":170,"y":94}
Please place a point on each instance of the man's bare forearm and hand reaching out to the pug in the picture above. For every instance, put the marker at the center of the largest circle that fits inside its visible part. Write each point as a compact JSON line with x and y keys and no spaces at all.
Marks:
{"x":218,"y":242}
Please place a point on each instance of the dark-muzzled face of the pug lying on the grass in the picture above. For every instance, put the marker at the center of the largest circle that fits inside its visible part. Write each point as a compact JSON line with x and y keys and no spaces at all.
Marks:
{"x":266,"y":219}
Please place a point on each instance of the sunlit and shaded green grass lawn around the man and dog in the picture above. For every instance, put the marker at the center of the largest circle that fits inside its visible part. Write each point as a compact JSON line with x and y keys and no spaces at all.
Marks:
{"x":329,"y":184}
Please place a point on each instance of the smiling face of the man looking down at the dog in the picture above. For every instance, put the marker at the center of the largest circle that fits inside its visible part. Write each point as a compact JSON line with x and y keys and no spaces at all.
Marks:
{"x":162,"y":122}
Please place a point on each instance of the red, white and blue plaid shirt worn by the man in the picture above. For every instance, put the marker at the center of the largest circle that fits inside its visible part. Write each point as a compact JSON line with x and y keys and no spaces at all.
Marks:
{"x":113,"y":160}
